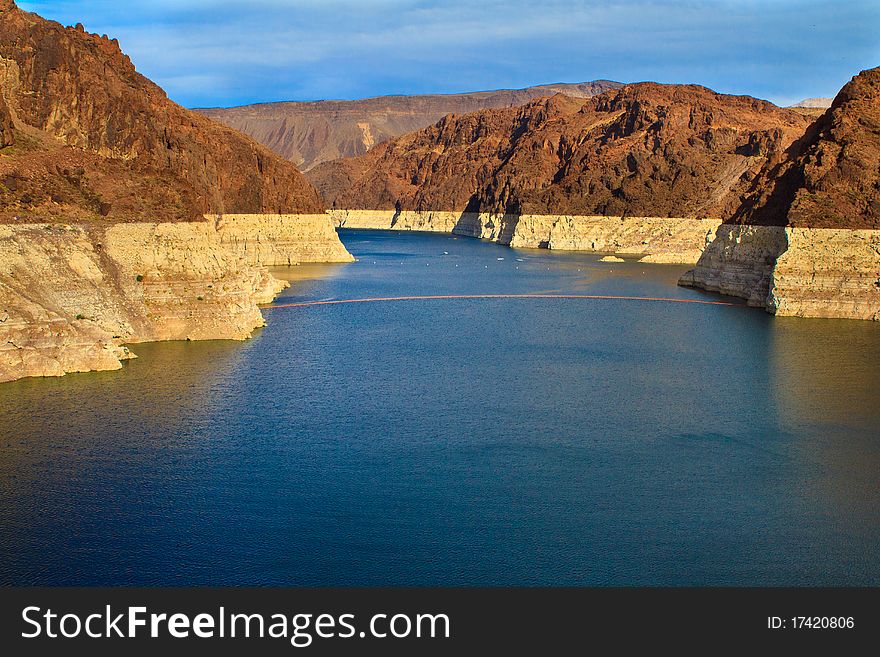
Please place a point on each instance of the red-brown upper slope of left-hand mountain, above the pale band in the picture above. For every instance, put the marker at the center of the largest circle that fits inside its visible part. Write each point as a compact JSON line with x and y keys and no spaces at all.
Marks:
{"x":93,"y":137}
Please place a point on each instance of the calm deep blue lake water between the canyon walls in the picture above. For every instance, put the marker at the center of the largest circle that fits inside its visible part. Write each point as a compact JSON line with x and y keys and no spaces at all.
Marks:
{"x":483,"y":442}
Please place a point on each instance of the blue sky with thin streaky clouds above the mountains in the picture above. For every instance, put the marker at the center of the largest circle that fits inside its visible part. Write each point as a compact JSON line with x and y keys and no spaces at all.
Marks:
{"x":225,"y":52}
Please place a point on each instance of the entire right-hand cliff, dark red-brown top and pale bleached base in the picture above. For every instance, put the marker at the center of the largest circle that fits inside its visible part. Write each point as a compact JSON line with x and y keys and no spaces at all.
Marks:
{"x":805,"y":241}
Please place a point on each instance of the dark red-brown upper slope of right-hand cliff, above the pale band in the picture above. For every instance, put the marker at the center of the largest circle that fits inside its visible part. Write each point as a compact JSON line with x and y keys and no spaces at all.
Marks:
{"x":831,"y":177}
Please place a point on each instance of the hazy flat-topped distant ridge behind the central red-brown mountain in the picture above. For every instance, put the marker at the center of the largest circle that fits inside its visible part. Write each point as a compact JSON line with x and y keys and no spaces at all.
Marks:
{"x":308,"y":133}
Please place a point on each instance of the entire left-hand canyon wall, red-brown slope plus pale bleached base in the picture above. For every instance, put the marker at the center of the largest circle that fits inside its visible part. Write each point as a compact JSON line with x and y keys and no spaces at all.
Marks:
{"x":105,"y":186}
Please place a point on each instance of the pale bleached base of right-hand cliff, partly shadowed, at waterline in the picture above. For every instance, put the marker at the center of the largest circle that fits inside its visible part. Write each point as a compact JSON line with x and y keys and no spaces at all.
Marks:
{"x":801,"y":272}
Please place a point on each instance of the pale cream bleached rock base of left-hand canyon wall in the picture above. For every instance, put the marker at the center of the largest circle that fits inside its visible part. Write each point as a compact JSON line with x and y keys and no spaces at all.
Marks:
{"x":71,"y":296}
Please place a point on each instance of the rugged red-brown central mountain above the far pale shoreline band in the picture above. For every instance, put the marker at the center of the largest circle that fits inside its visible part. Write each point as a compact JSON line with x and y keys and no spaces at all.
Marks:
{"x":643,"y":150}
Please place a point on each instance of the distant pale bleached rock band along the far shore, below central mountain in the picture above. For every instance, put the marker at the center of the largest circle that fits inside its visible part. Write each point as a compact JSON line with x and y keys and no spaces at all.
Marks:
{"x":653,"y":239}
